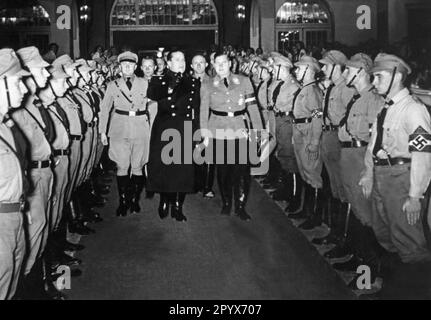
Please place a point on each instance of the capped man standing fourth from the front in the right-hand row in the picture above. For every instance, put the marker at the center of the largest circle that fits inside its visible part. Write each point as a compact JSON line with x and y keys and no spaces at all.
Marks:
{"x":307,"y":131}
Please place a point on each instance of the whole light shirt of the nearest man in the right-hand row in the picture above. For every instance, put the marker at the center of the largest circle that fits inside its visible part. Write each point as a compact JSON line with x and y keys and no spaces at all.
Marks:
{"x":406,"y":134}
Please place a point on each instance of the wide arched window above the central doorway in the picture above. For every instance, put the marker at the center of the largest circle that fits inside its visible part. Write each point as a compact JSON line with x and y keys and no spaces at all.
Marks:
{"x":152,"y":14}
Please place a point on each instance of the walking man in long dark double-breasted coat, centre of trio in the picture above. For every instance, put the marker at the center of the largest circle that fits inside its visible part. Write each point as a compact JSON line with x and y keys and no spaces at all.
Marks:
{"x":174,"y":93}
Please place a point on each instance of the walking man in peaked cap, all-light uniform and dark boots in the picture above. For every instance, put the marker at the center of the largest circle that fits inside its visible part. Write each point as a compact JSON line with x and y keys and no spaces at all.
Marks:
{"x":129,"y":129}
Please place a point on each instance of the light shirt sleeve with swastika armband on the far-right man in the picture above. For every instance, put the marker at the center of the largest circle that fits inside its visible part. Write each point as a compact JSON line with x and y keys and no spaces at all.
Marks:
{"x":419,"y":129}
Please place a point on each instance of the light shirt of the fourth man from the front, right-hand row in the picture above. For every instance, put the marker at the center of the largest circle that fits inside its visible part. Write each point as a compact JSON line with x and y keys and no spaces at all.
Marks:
{"x":308,"y":104}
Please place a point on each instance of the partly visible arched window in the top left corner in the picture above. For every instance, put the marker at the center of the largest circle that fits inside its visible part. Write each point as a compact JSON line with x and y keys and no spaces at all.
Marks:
{"x":27,"y":16}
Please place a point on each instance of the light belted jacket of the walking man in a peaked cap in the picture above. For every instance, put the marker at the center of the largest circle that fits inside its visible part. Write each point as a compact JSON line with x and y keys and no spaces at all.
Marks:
{"x":119,"y":97}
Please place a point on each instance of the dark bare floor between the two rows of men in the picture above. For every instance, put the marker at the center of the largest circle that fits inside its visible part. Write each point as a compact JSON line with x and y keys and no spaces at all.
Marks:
{"x":208,"y":257}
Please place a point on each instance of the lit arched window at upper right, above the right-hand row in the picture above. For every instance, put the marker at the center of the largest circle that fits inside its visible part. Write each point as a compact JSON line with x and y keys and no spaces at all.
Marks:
{"x":306,"y":21}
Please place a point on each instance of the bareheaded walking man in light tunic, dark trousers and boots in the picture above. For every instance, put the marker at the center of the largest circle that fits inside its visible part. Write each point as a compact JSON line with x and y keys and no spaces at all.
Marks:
{"x":229,"y":113}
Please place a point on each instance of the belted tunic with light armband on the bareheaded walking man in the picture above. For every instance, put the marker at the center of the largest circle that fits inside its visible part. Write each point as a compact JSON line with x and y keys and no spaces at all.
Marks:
{"x":239,"y":96}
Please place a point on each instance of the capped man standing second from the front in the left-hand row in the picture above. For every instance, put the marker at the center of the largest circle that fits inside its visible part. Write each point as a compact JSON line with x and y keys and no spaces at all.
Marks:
{"x":34,"y":121}
